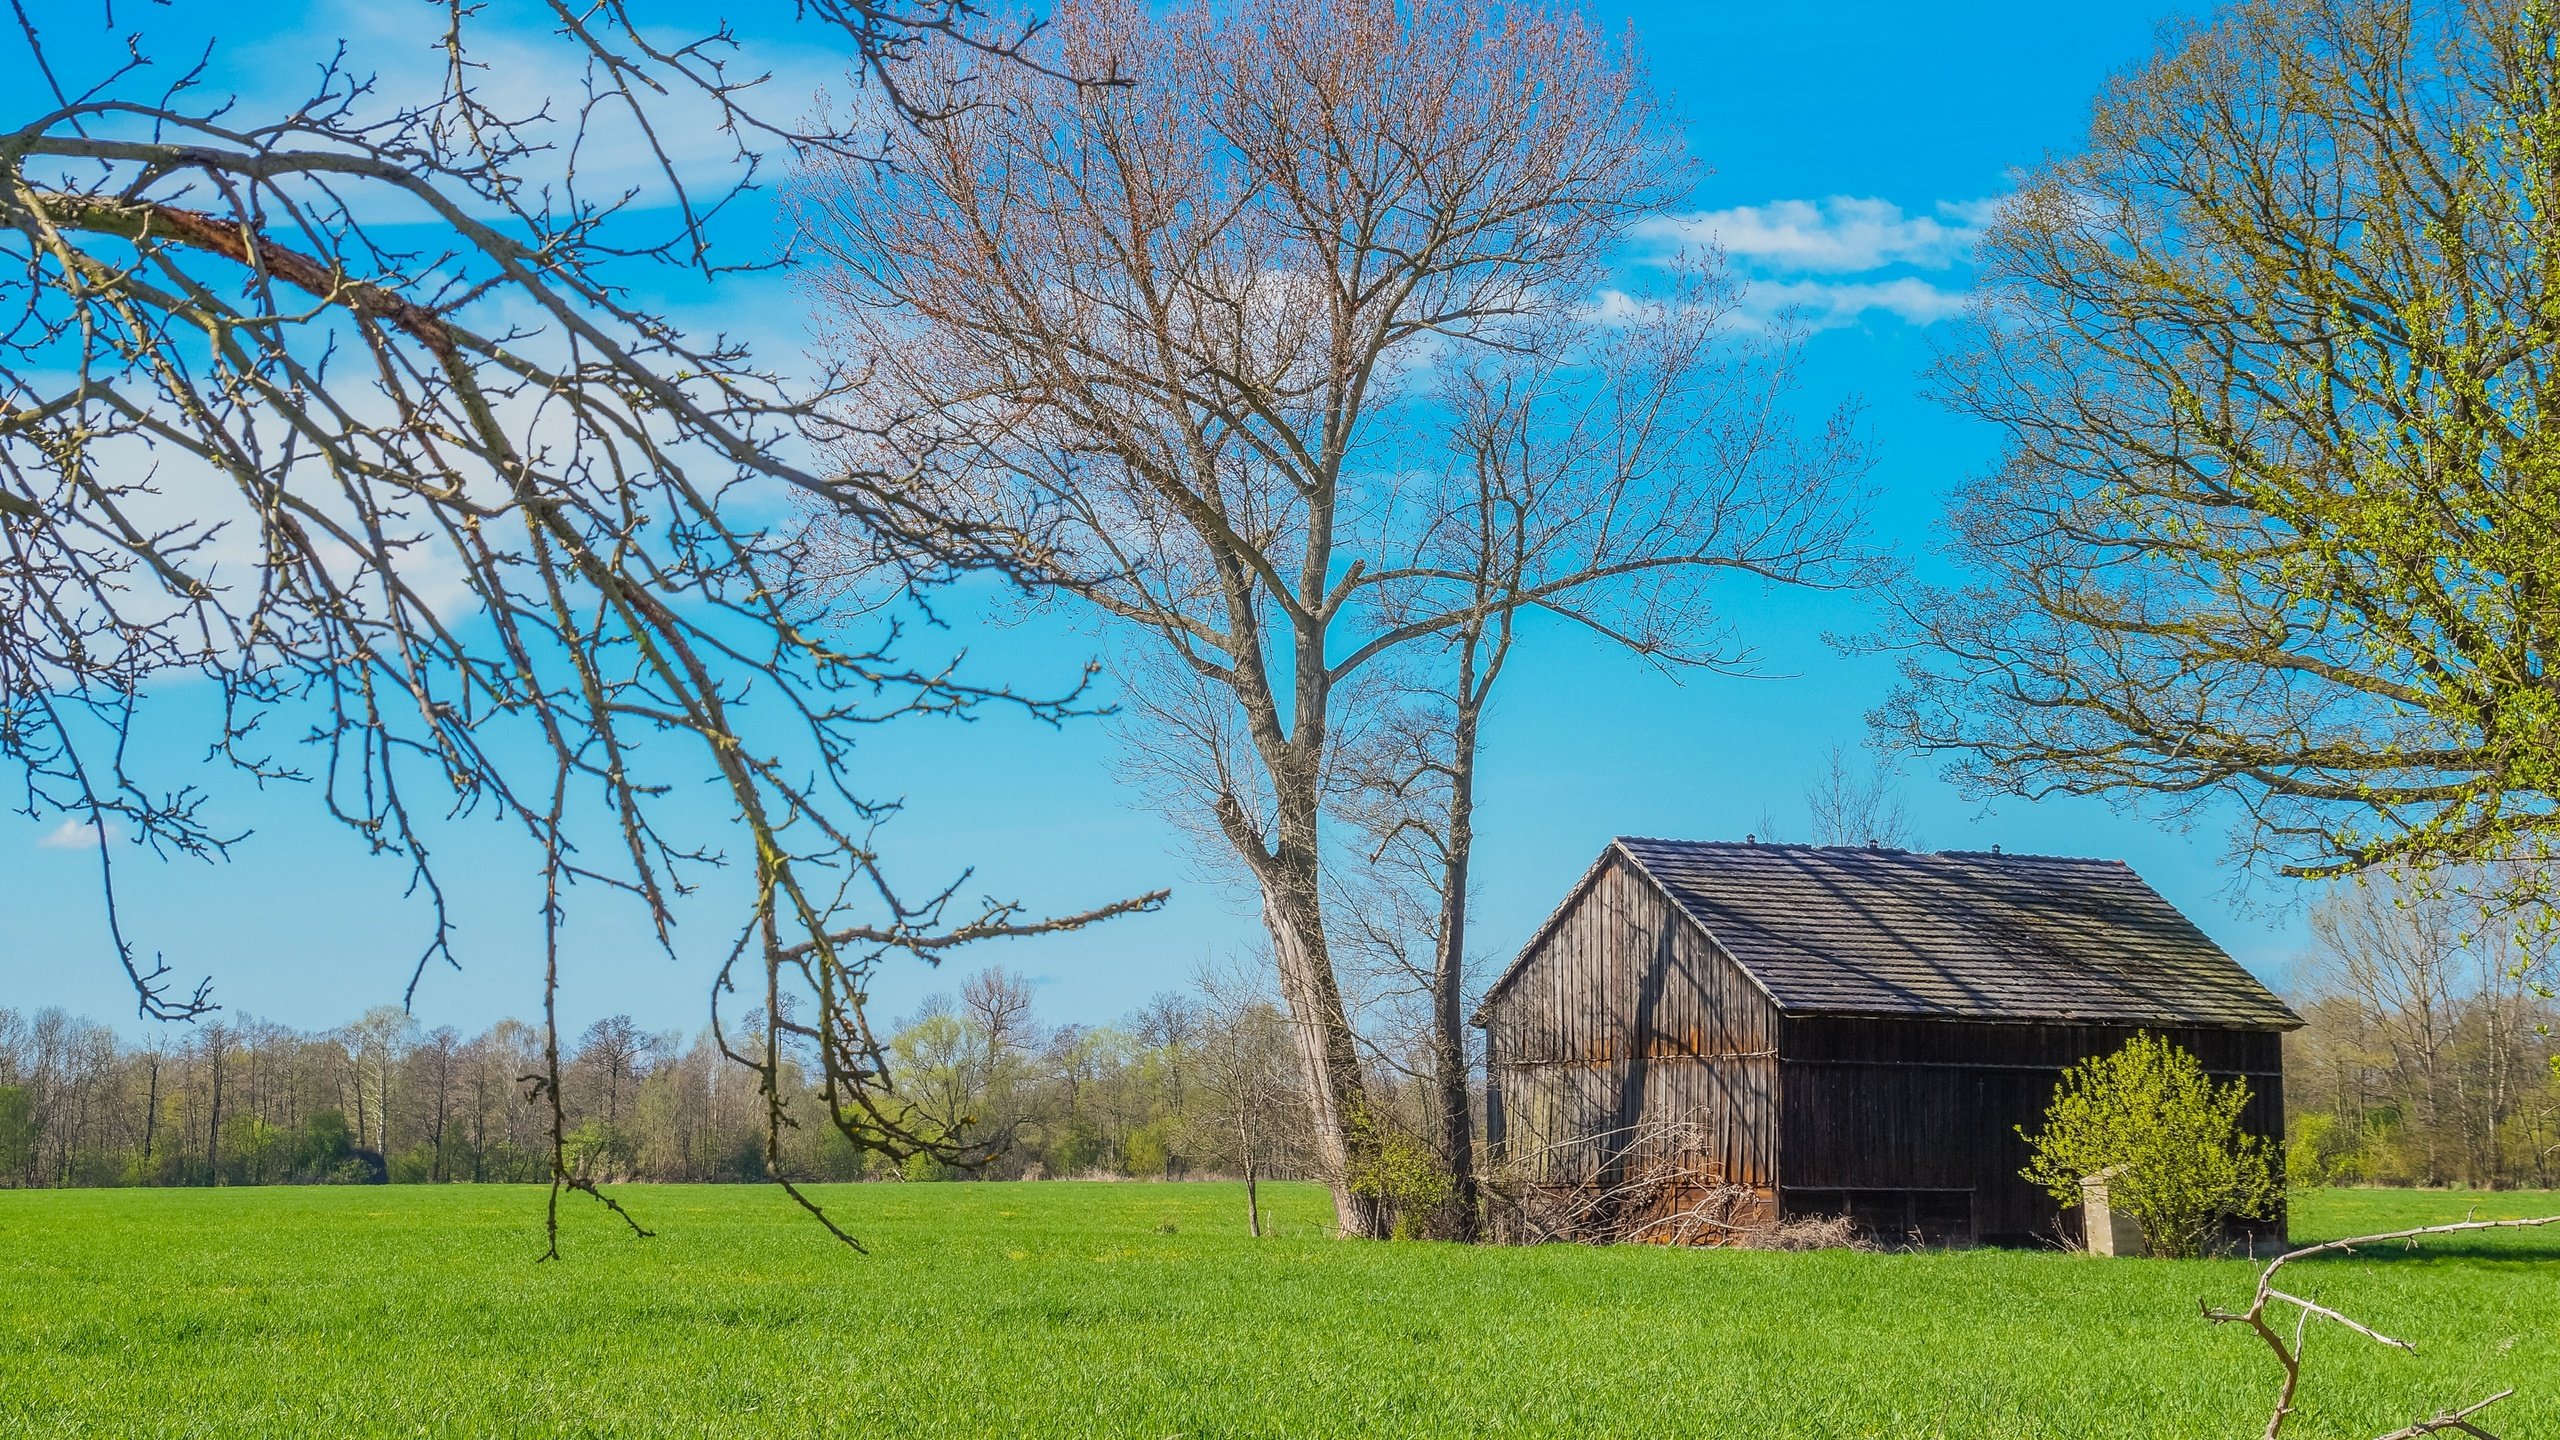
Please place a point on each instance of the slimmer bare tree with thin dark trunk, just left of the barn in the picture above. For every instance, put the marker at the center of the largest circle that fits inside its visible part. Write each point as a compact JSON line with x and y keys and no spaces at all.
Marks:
{"x":1612,"y":470}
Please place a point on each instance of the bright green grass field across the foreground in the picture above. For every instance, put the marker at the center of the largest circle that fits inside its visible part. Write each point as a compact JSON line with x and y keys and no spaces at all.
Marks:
{"x":1143,"y":1311}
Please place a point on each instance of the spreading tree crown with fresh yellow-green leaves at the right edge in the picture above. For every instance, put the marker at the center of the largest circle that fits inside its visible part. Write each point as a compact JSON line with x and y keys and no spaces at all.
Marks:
{"x":2280,"y":514}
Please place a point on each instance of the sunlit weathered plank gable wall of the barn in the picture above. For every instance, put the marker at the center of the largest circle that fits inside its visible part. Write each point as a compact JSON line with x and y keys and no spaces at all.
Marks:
{"x":1622,"y":1026}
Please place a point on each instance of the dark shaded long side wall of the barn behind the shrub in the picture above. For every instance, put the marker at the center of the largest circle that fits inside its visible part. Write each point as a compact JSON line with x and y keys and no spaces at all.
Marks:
{"x":1934,"y":1106}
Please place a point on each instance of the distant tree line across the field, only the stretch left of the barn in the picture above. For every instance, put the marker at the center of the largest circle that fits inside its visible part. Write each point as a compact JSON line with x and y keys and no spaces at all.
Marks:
{"x":1181,"y":1088}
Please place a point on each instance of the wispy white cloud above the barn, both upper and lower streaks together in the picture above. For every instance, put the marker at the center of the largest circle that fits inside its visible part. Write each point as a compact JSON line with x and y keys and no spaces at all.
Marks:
{"x":1844,"y":258}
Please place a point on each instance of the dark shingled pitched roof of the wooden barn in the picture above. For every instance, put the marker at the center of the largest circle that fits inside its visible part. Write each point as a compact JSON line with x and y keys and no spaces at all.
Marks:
{"x":1960,"y":934}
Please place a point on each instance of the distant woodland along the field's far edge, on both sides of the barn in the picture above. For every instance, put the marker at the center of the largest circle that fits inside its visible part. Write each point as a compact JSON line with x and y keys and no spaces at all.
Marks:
{"x":2426,"y":1060}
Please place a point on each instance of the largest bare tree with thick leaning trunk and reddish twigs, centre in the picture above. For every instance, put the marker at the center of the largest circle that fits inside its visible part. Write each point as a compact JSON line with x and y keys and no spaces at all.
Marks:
{"x":1169,"y":337}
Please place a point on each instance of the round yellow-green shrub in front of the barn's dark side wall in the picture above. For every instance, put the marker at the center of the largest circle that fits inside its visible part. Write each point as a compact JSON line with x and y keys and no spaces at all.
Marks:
{"x":2170,"y":1134}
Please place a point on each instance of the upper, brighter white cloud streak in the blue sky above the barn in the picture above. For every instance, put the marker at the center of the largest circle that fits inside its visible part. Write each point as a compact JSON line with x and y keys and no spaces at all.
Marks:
{"x":1842,"y":234}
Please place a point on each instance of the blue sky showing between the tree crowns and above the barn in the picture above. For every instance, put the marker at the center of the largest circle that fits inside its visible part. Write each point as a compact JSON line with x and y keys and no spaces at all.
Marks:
{"x":1847,"y":155}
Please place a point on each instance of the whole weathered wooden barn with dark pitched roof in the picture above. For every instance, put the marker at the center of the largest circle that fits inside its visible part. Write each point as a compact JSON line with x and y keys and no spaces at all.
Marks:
{"x":1850,"y":1031}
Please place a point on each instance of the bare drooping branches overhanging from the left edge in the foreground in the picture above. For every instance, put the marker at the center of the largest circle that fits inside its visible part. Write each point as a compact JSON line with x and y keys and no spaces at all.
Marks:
{"x":355,"y":404}
